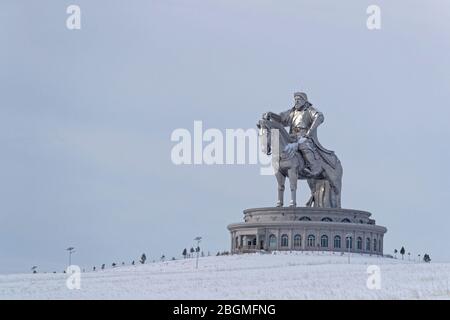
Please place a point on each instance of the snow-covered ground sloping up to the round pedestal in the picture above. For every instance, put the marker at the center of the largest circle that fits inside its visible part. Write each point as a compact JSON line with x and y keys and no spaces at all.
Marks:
{"x":251,"y":276}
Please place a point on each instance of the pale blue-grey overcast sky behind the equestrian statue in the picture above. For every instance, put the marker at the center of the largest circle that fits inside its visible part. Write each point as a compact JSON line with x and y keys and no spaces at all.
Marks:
{"x":86,"y":118}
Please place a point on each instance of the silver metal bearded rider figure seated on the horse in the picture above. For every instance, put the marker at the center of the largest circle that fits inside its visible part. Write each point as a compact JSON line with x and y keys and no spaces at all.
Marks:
{"x":303,"y":121}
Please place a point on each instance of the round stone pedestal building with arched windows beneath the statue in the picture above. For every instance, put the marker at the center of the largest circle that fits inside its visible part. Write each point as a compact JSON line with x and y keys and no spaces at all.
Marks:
{"x":307,"y":229}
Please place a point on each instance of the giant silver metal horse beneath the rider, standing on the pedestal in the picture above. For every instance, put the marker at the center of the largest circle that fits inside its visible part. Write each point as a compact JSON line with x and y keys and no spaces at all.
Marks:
{"x":325,"y":186}
